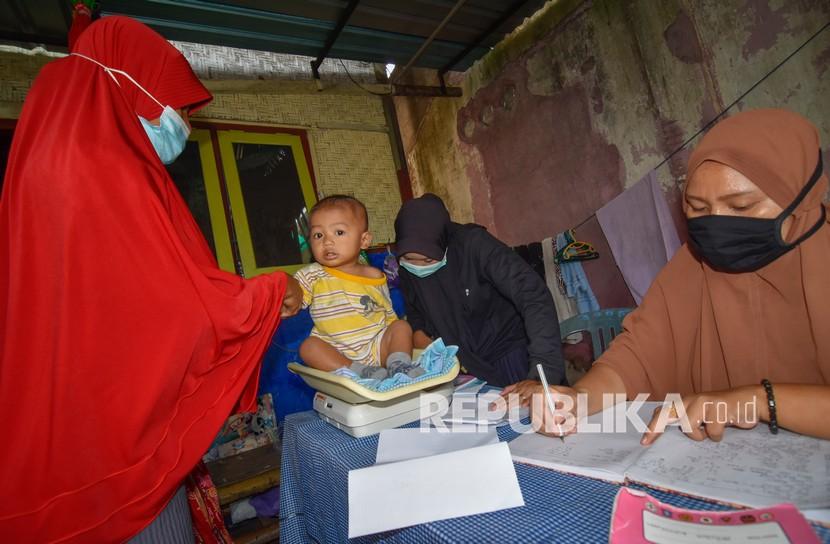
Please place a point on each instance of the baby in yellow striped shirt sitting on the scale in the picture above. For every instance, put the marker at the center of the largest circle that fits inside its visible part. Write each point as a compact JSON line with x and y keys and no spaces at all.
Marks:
{"x":354,"y":323}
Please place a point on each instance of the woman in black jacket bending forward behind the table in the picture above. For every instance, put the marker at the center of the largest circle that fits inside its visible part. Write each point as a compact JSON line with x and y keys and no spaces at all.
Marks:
{"x":465,"y":286}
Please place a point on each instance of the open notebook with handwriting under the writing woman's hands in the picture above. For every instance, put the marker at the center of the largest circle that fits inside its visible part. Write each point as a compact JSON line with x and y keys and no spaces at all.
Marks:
{"x":747,"y":468}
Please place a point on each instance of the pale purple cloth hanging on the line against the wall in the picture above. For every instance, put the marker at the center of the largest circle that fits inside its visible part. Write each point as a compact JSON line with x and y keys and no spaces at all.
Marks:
{"x":640,"y":232}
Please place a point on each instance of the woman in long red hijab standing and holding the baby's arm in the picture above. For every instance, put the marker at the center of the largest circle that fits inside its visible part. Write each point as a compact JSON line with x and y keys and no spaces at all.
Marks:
{"x":123,"y":347}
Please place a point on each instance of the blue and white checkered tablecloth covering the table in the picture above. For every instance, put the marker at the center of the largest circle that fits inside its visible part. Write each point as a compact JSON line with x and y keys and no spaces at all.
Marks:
{"x":316,"y":460}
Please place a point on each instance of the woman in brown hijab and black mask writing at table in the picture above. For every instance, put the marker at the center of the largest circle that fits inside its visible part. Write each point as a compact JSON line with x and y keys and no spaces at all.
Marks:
{"x":746,"y":301}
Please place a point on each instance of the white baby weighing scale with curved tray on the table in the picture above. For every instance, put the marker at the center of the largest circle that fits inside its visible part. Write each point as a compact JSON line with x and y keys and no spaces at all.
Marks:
{"x":360,"y":411}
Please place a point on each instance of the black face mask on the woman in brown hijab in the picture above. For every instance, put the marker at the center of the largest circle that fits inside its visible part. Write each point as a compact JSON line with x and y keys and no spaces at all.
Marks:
{"x":745,"y":244}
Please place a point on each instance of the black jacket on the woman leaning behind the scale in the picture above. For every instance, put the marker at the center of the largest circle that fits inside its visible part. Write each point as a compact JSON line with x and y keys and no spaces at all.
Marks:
{"x":488,"y":301}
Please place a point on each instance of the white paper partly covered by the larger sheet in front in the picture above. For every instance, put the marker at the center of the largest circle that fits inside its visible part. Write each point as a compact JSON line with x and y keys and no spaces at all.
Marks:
{"x":403,"y":444}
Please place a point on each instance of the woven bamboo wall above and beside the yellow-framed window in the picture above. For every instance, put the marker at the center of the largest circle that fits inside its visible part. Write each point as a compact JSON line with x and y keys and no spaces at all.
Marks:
{"x":353,"y":157}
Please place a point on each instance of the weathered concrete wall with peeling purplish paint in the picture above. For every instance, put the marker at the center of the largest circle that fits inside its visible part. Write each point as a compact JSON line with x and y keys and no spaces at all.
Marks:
{"x":586,"y":98}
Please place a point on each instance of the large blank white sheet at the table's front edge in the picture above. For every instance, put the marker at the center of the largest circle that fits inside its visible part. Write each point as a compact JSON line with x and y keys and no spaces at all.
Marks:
{"x":396,"y":495}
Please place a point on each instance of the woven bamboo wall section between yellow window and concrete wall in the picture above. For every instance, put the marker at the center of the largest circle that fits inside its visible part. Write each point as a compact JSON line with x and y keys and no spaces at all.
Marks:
{"x":360,"y":164}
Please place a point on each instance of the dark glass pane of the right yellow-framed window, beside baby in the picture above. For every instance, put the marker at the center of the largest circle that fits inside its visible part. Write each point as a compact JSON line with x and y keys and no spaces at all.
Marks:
{"x":274,"y":204}
